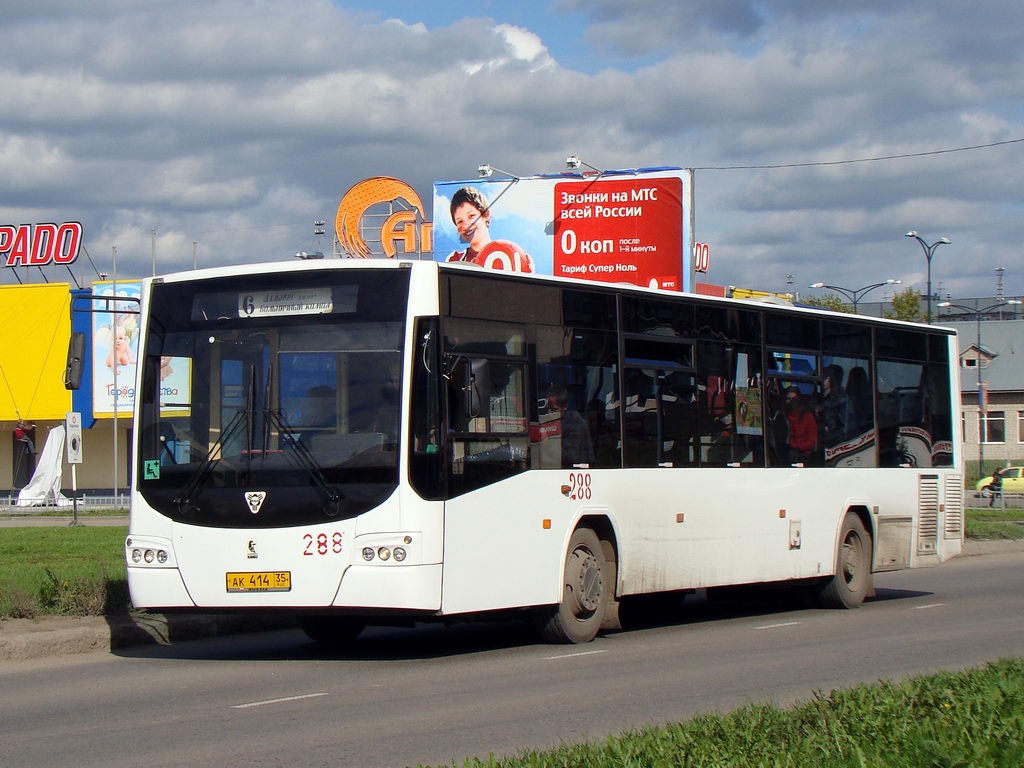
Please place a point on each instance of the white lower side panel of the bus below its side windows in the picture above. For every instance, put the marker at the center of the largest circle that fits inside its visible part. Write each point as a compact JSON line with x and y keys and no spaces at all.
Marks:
{"x":676,"y":529}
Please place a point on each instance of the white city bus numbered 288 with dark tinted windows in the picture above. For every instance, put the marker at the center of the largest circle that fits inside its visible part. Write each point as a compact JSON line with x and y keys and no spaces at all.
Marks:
{"x":372,"y":442}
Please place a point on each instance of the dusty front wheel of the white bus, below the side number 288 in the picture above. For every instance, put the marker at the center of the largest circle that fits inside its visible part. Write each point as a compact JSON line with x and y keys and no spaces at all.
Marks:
{"x":585,"y":593}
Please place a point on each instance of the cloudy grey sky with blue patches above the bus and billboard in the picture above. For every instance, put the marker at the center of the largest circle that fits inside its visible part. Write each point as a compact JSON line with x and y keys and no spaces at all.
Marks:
{"x":237,"y":123}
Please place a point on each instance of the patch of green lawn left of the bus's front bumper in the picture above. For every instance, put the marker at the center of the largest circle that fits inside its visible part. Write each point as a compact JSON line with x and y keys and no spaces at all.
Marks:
{"x":64,"y":571}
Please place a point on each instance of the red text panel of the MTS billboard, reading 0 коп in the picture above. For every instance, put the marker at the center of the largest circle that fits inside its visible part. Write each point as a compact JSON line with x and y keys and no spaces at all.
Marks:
{"x":621,"y":231}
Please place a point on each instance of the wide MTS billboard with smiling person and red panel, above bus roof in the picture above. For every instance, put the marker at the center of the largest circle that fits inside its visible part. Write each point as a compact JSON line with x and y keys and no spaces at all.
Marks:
{"x":615,"y":228}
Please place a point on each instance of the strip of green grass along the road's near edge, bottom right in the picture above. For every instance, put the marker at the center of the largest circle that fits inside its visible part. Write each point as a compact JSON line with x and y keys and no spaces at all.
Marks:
{"x":971,"y":719}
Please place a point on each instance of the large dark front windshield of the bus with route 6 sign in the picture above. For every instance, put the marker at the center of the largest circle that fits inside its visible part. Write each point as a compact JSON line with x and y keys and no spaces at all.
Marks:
{"x":273,"y":400}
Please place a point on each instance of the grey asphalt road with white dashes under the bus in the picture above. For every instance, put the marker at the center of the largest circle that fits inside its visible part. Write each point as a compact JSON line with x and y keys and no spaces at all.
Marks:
{"x":436,"y":695}
